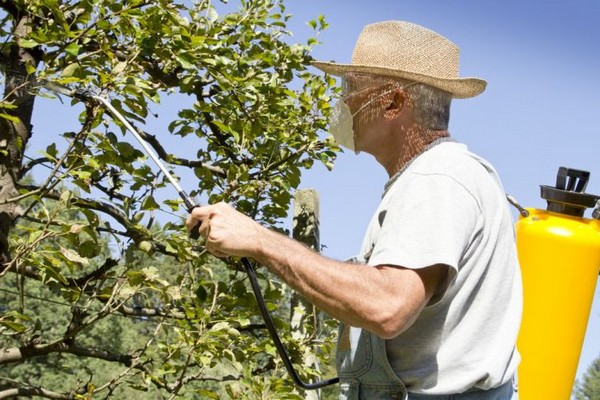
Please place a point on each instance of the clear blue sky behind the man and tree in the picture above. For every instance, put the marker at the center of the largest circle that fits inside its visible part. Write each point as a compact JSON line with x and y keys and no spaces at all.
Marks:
{"x":539,"y":112}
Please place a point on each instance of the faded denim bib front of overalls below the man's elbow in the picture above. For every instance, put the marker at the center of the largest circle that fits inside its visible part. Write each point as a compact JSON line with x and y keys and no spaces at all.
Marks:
{"x":363,"y":367}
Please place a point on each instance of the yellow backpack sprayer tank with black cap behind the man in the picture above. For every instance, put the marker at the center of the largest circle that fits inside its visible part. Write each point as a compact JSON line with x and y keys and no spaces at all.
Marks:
{"x":559,"y":253}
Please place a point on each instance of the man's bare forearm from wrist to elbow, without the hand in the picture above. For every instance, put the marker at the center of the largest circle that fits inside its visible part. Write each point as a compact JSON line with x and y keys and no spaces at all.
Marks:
{"x":367,"y":297}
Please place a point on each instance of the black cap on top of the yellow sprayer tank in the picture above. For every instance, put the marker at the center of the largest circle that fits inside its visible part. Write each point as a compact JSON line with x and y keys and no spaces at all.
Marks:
{"x":568,"y":196}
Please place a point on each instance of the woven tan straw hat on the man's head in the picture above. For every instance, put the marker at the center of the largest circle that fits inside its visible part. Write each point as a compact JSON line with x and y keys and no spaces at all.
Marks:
{"x":409,"y":51}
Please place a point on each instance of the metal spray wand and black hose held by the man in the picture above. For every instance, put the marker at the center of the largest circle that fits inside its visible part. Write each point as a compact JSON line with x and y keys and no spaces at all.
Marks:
{"x":190,"y":204}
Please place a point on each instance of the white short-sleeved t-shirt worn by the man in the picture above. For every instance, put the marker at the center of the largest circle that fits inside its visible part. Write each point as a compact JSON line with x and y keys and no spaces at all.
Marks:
{"x":448,"y":207}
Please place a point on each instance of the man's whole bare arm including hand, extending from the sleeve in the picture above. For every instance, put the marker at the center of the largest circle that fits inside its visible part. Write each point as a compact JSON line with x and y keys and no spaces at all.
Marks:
{"x":384,"y":300}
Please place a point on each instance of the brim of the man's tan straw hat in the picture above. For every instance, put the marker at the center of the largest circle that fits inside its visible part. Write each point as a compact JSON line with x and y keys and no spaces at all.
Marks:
{"x":460,"y":88}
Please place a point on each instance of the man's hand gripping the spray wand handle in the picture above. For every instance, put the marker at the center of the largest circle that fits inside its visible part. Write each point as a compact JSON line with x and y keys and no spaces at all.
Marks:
{"x":227,"y":231}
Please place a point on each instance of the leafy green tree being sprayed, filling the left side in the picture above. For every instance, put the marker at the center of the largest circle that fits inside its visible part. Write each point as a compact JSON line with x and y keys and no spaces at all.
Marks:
{"x":101,"y":294}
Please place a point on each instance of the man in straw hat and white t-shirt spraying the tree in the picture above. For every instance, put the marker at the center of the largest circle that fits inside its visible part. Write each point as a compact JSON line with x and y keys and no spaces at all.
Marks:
{"x":431,"y":307}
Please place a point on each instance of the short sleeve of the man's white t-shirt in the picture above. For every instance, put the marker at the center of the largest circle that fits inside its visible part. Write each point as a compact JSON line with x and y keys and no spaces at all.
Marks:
{"x":431,"y":219}
